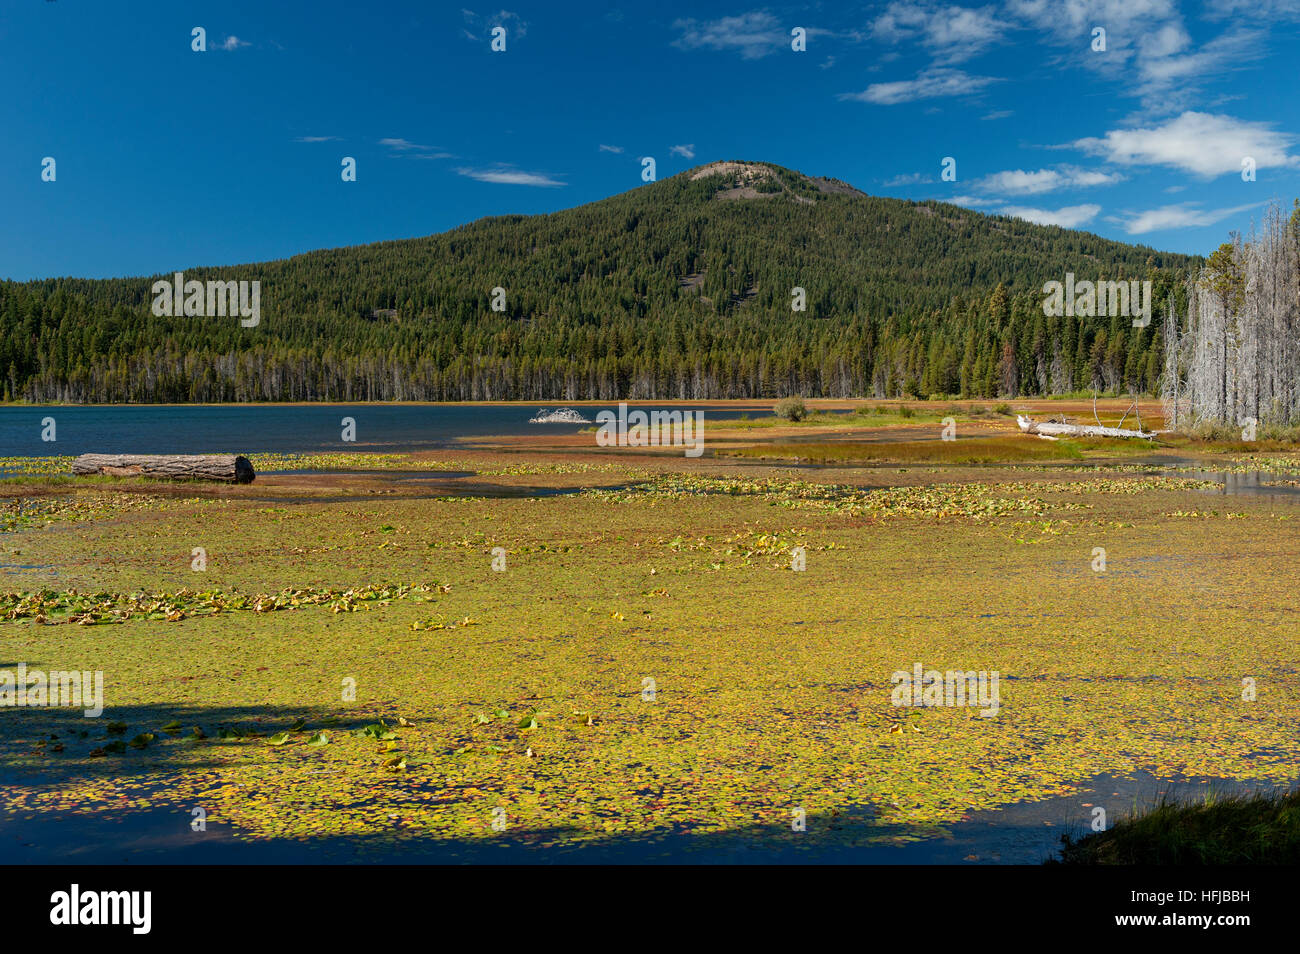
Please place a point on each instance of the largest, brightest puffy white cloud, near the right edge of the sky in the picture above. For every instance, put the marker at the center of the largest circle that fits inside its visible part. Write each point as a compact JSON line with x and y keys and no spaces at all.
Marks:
{"x":1199,"y":144}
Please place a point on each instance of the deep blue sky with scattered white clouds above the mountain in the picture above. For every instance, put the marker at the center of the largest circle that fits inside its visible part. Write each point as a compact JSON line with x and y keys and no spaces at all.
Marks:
{"x":167,"y":158}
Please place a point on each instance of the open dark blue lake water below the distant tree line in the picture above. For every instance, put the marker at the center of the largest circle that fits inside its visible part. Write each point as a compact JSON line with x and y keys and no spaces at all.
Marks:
{"x":285,"y":430}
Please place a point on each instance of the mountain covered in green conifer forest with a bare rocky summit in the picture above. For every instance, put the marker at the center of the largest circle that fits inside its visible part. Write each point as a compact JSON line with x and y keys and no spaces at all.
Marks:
{"x":678,"y":289}
